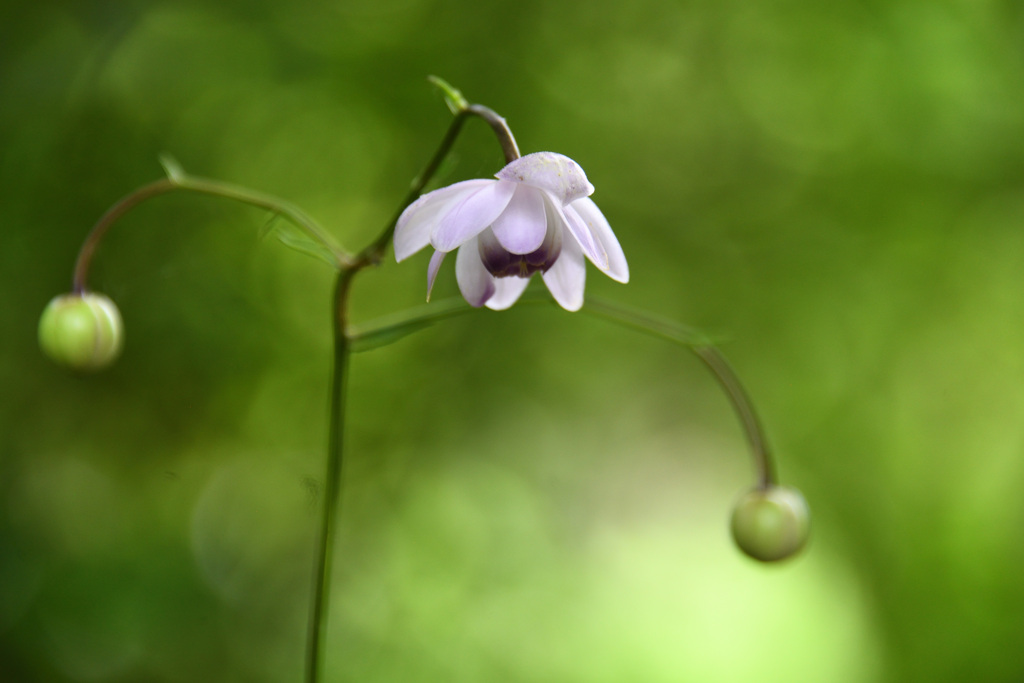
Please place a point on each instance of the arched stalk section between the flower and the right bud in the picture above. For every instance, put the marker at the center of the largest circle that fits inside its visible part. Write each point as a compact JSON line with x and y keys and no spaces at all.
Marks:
{"x":715,"y":362}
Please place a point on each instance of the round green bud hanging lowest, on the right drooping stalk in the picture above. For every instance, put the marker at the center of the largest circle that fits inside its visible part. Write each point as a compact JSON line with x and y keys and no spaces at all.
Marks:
{"x":772,"y":525}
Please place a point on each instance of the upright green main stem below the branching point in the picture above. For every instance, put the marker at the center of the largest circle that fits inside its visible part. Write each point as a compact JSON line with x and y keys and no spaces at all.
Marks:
{"x":330,"y":514}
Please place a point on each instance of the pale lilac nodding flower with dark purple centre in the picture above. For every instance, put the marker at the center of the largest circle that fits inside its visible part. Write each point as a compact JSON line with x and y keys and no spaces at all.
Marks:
{"x":536,"y":218}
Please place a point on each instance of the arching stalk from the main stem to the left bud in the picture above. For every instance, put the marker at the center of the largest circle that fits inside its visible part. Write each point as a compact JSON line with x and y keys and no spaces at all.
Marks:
{"x":203,"y":187}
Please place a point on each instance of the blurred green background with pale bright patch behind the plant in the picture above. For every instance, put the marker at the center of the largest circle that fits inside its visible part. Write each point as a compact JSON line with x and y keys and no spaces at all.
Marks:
{"x":837,"y":189}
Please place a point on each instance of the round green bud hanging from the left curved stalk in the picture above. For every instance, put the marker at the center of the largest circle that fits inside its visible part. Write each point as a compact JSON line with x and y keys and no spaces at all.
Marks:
{"x":82,"y":331}
